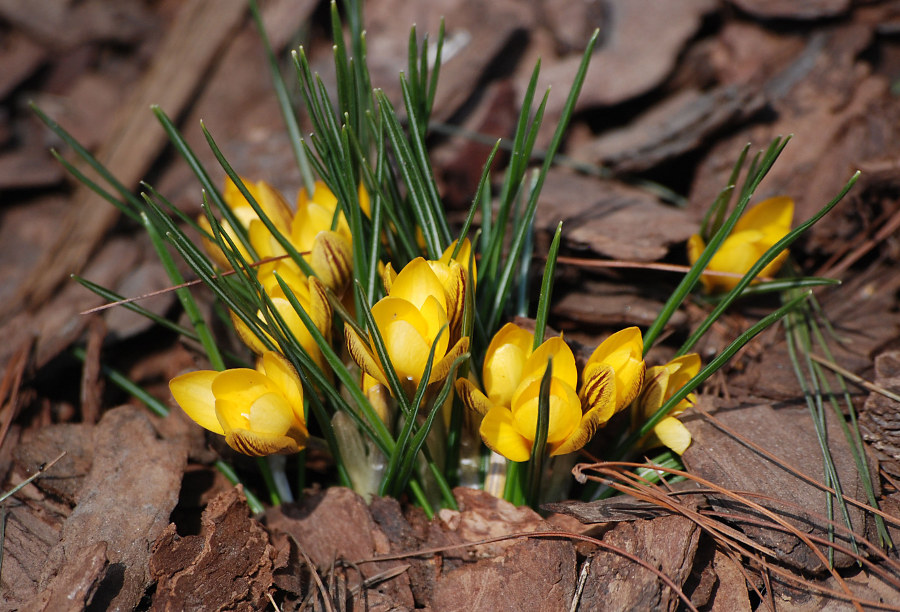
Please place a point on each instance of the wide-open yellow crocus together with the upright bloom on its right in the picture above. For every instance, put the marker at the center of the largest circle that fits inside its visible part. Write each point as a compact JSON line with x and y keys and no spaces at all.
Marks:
{"x":512,"y":377}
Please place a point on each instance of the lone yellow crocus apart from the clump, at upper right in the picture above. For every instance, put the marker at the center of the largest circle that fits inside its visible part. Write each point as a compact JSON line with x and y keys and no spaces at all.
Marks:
{"x":754,"y":233}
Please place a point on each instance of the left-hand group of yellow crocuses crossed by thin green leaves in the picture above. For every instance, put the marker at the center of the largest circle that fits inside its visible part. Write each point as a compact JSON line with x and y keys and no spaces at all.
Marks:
{"x":260,"y":412}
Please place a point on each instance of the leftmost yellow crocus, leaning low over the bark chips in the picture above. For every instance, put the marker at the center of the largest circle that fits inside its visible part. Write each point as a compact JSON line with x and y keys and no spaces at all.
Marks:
{"x":260,"y":412}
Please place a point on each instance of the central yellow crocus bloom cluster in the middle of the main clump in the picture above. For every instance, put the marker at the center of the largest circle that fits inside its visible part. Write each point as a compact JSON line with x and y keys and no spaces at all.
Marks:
{"x":423,"y":308}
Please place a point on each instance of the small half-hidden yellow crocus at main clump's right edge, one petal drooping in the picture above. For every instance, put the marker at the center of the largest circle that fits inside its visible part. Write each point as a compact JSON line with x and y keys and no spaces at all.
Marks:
{"x":662,"y":383}
